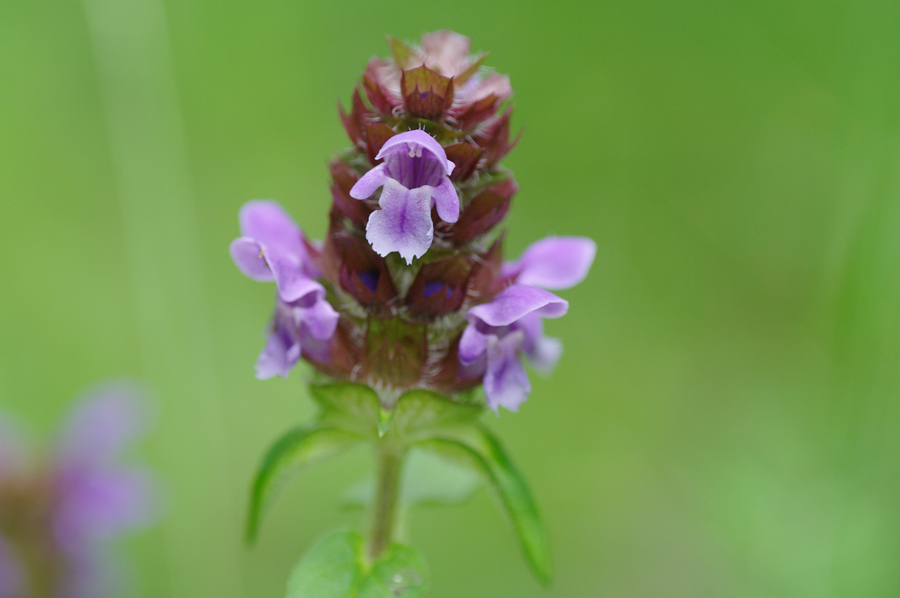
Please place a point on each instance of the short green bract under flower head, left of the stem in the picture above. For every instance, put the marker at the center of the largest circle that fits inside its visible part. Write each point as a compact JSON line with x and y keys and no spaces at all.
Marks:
{"x":349,"y":406}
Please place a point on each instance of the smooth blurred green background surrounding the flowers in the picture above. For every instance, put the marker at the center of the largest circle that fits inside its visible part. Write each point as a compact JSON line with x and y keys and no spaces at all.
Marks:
{"x":726,"y":418}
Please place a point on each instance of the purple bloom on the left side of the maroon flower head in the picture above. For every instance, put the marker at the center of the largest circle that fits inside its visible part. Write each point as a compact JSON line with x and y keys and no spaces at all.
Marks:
{"x":273,"y":248}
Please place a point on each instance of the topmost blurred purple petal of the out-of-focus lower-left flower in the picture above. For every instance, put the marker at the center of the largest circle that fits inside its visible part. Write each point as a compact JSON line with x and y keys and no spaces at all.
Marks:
{"x":101,"y":426}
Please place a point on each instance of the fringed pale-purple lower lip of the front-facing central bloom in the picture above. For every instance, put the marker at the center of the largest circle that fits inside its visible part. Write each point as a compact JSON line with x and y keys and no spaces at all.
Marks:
{"x":403,"y":223}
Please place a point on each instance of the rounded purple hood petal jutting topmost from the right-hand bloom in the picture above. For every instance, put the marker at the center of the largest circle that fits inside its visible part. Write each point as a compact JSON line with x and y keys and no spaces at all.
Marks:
{"x":554,"y":262}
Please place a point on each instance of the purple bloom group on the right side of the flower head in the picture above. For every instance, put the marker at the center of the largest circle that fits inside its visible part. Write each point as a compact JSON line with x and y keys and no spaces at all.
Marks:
{"x":499,"y":331}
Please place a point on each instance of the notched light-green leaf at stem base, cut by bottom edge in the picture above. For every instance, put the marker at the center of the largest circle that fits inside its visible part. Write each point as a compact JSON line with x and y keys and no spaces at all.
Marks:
{"x":335,"y":567}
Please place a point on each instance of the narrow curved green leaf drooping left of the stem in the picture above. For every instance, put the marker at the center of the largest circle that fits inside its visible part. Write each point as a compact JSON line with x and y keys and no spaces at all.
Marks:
{"x":290,"y":453}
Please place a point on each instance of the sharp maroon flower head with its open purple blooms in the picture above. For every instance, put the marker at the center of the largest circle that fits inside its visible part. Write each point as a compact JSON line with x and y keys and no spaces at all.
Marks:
{"x":422,"y":179}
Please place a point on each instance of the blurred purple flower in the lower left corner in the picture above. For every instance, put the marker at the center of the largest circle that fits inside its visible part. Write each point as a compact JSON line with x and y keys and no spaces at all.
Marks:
{"x":55,"y":518}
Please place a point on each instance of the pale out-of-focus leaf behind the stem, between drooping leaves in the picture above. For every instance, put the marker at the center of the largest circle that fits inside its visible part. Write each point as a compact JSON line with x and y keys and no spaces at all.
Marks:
{"x":427,"y":481}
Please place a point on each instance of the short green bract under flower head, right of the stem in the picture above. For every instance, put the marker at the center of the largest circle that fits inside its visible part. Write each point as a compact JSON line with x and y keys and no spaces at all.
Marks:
{"x":419,"y":413}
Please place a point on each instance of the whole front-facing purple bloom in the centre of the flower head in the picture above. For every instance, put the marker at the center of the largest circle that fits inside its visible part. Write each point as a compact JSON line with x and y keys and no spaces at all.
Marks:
{"x":415,"y":176}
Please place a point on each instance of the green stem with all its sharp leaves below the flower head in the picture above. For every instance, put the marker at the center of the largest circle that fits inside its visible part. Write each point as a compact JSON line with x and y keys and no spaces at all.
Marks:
{"x":351,"y":414}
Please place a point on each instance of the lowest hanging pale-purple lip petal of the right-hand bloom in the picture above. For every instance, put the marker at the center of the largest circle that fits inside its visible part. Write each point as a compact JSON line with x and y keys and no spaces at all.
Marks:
{"x":505,"y":382}
